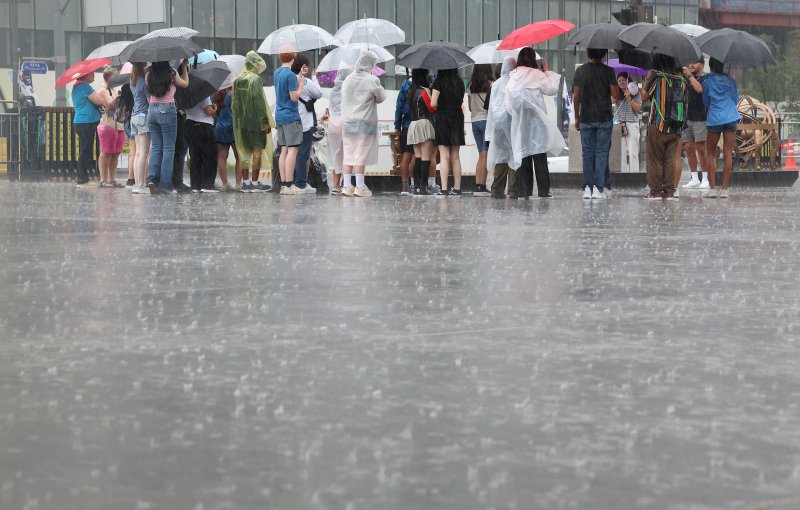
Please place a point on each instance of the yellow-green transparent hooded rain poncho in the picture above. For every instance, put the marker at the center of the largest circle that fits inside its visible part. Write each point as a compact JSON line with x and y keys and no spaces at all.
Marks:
{"x":251,"y":112}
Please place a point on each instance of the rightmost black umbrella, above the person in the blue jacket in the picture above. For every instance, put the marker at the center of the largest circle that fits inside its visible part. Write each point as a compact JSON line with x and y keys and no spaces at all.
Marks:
{"x":736,"y":48}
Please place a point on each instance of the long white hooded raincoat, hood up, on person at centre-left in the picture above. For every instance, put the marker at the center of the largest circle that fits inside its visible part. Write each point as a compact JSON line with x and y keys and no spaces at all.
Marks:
{"x":361,"y":93}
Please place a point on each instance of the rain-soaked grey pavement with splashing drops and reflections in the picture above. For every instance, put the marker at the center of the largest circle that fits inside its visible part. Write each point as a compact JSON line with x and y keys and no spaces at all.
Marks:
{"x":232,"y":351}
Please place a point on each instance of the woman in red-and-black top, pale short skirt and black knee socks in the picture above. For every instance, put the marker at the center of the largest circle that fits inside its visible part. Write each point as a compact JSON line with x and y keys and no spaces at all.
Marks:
{"x":421,"y":132}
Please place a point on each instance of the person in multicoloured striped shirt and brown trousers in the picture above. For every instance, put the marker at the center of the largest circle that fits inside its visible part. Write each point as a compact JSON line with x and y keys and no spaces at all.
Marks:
{"x":664,"y":86}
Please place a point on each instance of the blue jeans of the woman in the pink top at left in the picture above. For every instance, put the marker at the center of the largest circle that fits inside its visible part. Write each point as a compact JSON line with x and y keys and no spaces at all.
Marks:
{"x":163,"y":125}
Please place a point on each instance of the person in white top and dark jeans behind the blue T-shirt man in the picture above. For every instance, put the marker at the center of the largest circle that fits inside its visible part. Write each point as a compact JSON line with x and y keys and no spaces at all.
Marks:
{"x":308,"y":117}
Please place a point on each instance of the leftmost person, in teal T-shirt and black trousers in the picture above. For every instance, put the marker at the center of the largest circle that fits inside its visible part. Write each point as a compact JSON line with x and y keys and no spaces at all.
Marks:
{"x":87,"y":103}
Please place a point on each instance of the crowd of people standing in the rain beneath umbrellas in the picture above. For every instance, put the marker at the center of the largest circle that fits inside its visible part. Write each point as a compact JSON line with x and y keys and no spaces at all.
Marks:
{"x":512,"y":131}
